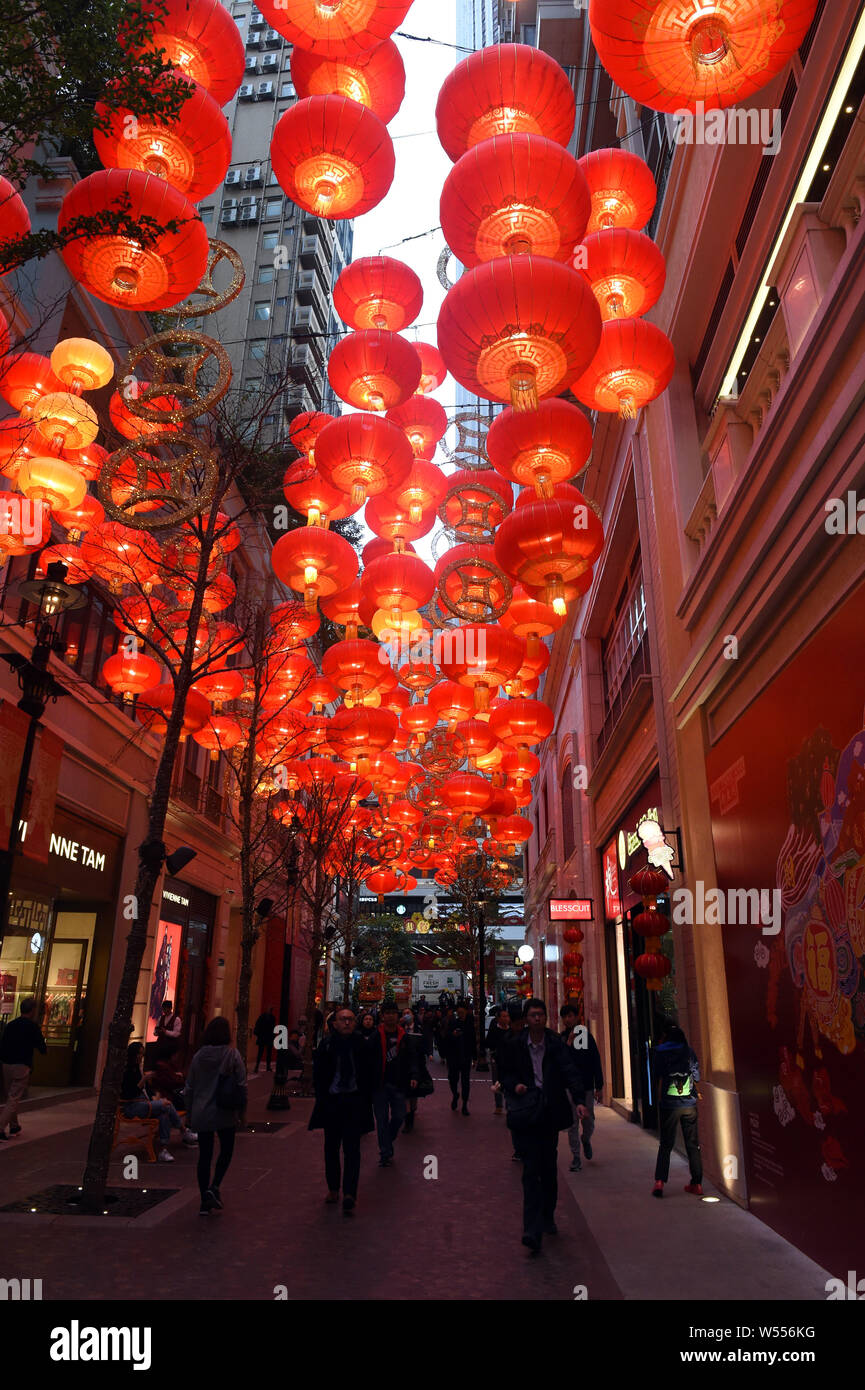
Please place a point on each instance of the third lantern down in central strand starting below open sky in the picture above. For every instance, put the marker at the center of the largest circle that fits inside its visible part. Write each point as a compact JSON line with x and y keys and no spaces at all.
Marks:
{"x":364,"y":455}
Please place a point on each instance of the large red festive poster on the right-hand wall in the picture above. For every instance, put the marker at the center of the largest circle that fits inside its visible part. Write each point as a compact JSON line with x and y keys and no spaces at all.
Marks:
{"x":788,"y":792}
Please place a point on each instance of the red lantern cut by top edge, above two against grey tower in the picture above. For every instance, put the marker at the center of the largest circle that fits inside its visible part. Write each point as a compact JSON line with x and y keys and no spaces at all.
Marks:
{"x":343,"y":28}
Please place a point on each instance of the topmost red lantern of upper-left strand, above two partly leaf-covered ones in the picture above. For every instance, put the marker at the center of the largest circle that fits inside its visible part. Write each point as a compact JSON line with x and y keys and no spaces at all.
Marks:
{"x":202,"y":40}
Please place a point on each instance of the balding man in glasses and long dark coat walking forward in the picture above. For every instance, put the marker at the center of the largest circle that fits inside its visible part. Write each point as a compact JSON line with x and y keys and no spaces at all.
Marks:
{"x":343,"y":1079}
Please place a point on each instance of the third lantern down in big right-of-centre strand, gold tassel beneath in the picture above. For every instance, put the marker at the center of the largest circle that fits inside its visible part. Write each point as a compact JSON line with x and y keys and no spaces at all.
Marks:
{"x":511,"y":330}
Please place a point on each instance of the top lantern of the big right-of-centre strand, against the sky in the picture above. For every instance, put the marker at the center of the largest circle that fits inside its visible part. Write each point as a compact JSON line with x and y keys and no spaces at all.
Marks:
{"x":506,"y":90}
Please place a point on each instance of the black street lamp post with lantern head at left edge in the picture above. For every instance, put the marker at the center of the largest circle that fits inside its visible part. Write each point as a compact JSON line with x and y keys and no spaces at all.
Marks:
{"x":54,"y":597}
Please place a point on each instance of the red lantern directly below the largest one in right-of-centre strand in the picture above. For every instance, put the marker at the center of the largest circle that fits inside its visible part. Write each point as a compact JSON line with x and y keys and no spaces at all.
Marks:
{"x":540,"y":448}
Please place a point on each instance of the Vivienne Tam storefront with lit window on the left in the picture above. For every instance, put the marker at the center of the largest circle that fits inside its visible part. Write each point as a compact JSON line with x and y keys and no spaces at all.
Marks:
{"x":59,"y":945}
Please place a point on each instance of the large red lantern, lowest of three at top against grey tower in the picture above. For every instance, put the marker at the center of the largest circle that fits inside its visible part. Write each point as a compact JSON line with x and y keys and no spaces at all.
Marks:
{"x":333,"y":156}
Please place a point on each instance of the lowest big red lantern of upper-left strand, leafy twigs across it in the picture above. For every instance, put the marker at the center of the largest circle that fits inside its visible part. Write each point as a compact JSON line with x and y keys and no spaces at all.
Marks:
{"x":116,"y":268}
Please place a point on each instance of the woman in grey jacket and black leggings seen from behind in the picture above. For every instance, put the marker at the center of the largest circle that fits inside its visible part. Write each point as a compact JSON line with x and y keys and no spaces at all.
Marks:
{"x":216,"y":1095}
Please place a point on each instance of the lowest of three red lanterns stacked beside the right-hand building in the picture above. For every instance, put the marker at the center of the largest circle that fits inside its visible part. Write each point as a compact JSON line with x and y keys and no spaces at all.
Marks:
{"x":633,"y":365}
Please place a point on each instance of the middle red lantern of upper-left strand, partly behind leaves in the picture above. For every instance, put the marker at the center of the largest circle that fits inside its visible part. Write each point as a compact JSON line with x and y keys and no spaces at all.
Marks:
{"x":191,"y":152}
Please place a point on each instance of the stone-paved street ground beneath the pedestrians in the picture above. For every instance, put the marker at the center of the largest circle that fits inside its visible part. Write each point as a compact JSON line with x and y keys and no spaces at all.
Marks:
{"x":455,"y":1236}
